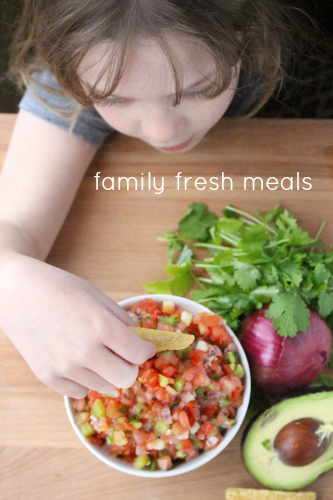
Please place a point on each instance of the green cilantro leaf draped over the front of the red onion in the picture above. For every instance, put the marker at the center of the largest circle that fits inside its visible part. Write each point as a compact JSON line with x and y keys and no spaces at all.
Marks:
{"x":289,"y":314}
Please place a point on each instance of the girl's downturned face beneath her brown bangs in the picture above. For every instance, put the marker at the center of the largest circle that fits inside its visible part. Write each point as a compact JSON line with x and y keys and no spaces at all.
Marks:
{"x":142,"y":105}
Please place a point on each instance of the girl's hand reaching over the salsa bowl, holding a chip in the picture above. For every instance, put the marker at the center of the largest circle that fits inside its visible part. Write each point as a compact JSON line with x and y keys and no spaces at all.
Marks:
{"x":72,"y":335}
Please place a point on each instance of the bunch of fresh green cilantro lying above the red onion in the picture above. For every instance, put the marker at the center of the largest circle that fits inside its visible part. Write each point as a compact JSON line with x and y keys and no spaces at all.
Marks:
{"x":249,"y":262}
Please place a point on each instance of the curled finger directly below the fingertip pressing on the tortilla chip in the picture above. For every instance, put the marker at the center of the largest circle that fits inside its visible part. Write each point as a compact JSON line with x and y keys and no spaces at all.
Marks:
{"x":114,"y":369}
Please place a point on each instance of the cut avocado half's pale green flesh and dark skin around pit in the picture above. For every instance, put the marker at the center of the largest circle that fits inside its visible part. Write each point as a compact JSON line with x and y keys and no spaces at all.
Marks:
{"x":259,"y":452}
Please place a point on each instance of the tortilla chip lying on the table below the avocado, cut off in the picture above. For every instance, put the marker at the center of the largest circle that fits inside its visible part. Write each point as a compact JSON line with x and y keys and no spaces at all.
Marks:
{"x":249,"y":494}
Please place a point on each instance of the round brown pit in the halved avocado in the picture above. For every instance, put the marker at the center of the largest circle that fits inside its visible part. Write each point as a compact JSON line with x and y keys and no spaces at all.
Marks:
{"x":300,"y":442}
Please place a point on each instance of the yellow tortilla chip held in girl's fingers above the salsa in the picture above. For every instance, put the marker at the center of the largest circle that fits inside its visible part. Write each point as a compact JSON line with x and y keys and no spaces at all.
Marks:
{"x":164,"y":341}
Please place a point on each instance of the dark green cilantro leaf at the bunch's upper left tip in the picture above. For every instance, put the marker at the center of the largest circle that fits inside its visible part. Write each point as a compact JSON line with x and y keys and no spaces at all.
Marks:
{"x":196,"y":222}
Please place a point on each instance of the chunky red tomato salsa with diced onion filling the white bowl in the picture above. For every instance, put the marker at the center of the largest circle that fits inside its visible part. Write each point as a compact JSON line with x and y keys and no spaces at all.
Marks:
{"x":182,"y":402}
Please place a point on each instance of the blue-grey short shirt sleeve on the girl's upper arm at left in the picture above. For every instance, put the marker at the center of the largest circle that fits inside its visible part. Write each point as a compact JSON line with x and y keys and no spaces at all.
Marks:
{"x":89,"y":126}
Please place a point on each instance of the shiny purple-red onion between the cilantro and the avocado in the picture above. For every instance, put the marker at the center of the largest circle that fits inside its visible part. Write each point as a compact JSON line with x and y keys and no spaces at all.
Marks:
{"x":282,"y":364}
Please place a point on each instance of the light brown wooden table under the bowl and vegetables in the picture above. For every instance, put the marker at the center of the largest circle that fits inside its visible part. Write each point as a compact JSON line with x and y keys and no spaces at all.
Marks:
{"x":109,"y":238}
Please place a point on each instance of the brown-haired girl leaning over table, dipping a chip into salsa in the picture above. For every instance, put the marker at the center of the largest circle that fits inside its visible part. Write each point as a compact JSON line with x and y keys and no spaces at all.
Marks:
{"x":164,"y":71}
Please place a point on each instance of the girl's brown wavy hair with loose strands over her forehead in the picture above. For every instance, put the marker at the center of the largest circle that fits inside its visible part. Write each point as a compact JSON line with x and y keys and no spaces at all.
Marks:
{"x":57,"y":34}
